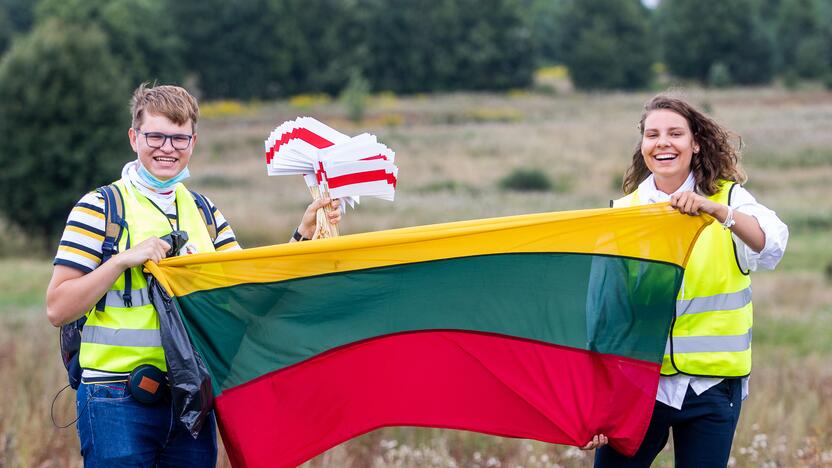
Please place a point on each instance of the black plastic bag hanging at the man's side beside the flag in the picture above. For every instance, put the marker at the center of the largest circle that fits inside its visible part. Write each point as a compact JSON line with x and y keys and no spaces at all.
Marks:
{"x":190,"y":382}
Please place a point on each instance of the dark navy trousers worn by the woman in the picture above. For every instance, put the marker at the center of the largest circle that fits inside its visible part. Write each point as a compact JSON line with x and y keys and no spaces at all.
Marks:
{"x":703,"y":430}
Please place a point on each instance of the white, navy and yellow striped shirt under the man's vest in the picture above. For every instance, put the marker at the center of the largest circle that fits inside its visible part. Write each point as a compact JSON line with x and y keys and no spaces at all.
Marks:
{"x":83,"y":237}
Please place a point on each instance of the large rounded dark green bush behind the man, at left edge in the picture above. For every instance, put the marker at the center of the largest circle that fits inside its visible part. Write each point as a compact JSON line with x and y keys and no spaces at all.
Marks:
{"x":63,"y":124}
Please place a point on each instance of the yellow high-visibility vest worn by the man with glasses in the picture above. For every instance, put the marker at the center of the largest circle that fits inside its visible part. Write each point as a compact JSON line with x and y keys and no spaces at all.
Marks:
{"x":120,"y":338}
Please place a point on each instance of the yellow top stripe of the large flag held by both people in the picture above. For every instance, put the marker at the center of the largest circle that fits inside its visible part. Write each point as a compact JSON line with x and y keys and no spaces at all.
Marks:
{"x":653,"y":232}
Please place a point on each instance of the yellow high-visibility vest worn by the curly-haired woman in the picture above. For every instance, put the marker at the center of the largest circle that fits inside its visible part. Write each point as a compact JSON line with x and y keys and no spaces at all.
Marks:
{"x":711,"y":334}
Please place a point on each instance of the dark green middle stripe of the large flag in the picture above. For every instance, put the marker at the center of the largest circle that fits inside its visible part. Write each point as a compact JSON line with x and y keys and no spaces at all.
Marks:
{"x":598,"y":303}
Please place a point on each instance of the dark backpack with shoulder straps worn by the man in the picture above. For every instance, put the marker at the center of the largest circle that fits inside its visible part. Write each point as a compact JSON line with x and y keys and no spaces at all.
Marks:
{"x":70,"y":334}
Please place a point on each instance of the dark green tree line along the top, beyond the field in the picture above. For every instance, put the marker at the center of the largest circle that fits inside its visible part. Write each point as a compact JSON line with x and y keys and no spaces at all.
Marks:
{"x":275,"y":48}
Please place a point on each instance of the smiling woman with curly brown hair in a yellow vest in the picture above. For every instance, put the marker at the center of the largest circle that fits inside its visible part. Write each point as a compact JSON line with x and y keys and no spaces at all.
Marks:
{"x":686,"y":158}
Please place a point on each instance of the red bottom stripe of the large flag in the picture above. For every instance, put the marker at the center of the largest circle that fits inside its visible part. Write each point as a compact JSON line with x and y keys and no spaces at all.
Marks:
{"x":486,"y":383}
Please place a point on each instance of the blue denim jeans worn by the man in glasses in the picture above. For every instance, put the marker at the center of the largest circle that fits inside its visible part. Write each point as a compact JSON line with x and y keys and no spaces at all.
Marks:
{"x":118,"y":431}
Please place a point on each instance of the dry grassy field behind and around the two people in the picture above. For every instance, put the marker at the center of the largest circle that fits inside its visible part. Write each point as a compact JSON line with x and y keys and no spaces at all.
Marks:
{"x":452,"y":151}
